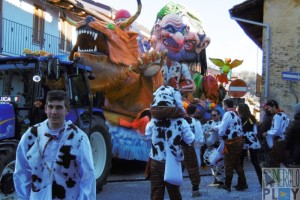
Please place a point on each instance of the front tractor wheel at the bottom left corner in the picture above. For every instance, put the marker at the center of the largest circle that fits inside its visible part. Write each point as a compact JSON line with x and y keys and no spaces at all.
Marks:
{"x":7,"y":167}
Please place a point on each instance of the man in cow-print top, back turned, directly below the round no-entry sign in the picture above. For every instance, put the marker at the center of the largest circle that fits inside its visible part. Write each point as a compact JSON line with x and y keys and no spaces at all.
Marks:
{"x":230,"y":130}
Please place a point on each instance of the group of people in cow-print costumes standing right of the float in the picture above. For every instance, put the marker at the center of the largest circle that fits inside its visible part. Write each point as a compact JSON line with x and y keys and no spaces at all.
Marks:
{"x":222,"y":143}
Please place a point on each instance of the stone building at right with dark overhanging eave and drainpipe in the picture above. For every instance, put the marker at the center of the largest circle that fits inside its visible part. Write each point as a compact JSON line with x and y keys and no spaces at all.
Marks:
{"x":274,"y":25}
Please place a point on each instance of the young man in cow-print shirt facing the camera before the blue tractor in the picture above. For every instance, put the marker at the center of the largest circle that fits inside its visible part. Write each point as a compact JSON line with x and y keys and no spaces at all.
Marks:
{"x":54,"y":158}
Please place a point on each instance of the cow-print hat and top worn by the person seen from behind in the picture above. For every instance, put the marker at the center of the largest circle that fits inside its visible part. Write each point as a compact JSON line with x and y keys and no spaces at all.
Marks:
{"x":168,"y":131}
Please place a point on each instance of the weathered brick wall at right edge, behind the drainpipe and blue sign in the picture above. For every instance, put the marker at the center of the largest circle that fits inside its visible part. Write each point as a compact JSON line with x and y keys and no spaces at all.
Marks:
{"x":284,"y":20}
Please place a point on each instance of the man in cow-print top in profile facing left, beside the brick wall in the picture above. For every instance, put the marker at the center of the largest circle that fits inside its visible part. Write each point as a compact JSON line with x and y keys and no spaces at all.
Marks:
{"x":276,"y":135}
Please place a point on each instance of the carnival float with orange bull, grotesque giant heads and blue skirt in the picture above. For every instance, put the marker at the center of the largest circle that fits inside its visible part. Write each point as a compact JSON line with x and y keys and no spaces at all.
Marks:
{"x":125,"y":78}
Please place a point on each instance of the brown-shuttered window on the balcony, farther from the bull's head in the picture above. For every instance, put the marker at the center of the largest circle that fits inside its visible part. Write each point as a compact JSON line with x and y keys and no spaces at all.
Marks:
{"x":38,"y":26}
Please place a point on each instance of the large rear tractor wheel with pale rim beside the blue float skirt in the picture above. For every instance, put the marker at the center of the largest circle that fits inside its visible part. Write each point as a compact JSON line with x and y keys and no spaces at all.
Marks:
{"x":100,"y":140}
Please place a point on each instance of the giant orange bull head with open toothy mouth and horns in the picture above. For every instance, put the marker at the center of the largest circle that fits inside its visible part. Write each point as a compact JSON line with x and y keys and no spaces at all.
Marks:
{"x":112,"y":53}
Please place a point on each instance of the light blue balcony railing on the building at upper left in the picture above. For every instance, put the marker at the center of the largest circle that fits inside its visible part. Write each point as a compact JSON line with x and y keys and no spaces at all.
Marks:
{"x":16,"y":37}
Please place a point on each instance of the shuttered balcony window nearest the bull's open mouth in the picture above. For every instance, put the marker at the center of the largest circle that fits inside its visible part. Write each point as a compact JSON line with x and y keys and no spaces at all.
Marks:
{"x":65,"y":36}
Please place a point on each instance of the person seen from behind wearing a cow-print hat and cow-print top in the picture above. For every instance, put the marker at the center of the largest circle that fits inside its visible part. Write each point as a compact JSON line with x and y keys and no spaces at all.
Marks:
{"x":167,"y":129}
